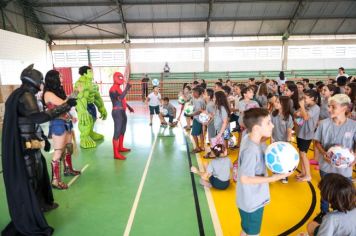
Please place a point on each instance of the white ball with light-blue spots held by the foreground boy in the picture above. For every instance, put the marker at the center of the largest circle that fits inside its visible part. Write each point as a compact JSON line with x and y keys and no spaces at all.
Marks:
{"x":281,"y":157}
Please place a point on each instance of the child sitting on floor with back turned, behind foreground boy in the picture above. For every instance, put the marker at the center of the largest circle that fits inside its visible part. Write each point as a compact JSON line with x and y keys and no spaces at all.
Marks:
{"x":217,"y":173}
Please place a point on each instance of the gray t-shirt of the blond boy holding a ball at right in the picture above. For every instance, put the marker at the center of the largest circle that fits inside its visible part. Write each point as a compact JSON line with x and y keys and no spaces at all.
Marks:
{"x":329,"y":134}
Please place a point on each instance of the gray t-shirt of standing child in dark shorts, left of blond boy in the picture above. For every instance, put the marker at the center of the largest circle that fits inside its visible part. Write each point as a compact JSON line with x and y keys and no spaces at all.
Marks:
{"x":307,"y":130}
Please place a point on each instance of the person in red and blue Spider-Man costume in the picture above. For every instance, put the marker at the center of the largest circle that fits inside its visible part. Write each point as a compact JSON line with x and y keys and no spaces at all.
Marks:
{"x":118,"y":113}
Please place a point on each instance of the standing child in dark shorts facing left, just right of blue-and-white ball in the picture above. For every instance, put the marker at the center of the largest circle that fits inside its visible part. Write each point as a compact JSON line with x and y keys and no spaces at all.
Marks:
{"x":308,"y":116}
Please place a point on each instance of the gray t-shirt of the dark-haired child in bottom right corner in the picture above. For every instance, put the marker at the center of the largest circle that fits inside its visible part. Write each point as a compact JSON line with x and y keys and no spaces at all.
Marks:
{"x":338,"y":224}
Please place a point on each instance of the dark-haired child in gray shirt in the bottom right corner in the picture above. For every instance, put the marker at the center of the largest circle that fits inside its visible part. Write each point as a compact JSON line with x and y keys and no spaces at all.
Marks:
{"x":340,"y":192}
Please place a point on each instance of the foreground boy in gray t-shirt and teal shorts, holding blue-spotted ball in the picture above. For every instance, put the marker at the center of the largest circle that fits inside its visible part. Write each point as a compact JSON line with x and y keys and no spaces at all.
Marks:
{"x":252,"y":191}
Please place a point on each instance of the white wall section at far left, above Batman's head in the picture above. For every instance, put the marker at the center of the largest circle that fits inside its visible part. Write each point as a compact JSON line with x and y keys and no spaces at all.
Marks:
{"x":17,"y":52}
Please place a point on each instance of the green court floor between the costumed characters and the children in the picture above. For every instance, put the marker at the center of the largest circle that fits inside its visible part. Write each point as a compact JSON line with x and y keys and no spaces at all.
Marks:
{"x":148,"y":194}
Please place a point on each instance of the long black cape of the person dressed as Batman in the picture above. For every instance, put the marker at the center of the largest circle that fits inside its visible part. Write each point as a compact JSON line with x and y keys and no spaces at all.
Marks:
{"x":26,"y":215}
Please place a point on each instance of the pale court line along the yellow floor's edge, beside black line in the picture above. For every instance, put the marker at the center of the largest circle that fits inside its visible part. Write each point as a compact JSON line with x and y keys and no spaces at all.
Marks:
{"x":209,"y":198}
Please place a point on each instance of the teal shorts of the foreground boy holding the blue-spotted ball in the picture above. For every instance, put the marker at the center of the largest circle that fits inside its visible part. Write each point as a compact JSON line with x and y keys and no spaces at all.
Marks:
{"x":251,"y":221}
